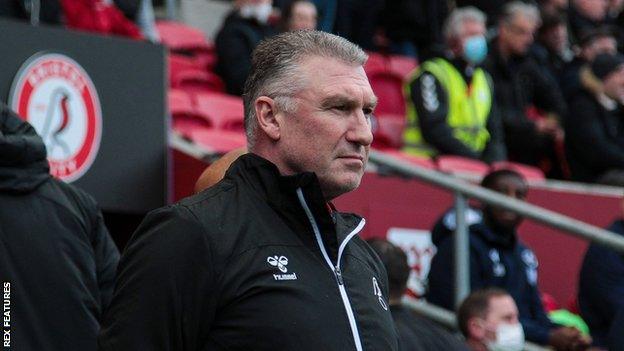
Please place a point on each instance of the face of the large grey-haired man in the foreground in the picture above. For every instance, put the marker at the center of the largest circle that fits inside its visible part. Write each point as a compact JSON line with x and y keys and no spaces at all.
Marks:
{"x":330,"y":132}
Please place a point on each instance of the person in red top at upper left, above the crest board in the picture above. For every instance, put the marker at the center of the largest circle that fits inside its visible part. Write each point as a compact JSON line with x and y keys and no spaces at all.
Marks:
{"x":98,"y":16}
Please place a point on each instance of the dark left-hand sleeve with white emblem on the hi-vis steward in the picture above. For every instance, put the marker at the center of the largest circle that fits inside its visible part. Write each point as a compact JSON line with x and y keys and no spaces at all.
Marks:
{"x":431,"y":103}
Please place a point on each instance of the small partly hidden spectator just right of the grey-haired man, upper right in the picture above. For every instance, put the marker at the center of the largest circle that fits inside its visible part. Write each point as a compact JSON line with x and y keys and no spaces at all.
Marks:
{"x":552,"y":48}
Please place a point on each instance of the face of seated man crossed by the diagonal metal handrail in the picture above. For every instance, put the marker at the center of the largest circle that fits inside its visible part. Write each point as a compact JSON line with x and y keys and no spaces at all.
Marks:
{"x":511,"y":186}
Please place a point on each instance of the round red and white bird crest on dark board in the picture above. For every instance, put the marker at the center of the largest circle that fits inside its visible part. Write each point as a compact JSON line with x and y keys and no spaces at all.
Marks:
{"x":57,"y":97}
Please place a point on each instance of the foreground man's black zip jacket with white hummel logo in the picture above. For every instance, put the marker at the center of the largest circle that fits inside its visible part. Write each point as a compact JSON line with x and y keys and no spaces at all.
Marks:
{"x":241,"y":266}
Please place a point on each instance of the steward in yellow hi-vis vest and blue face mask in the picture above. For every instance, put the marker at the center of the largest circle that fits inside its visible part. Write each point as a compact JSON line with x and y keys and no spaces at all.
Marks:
{"x":450,"y":107}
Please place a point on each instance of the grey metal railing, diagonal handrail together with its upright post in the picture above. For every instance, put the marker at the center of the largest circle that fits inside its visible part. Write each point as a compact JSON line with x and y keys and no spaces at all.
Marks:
{"x":464,"y":190}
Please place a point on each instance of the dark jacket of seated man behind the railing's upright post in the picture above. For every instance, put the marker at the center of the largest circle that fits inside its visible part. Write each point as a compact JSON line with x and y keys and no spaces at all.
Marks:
{"x":496,"y":260}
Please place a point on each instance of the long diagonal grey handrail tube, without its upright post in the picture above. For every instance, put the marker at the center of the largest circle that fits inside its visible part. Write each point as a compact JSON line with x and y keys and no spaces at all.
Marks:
{"x":539,"y":214}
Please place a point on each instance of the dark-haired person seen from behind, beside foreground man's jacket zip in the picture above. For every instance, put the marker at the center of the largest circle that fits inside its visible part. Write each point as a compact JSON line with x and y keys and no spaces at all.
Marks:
{"x":416,"y":333}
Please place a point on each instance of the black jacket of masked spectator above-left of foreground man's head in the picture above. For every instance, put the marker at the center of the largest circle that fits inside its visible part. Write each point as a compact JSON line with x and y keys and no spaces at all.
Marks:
{"x":235,"y":43}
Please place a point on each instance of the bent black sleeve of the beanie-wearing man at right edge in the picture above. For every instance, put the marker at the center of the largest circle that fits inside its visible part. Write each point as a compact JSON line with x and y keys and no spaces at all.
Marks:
{"x":583,"y":129}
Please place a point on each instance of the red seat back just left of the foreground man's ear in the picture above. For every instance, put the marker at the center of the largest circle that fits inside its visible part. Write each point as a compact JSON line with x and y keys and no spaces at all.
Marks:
{"x":225,"y":111}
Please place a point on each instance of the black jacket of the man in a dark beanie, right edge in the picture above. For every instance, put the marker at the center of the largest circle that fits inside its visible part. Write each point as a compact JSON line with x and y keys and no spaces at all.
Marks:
{"x":594,"y":138}
